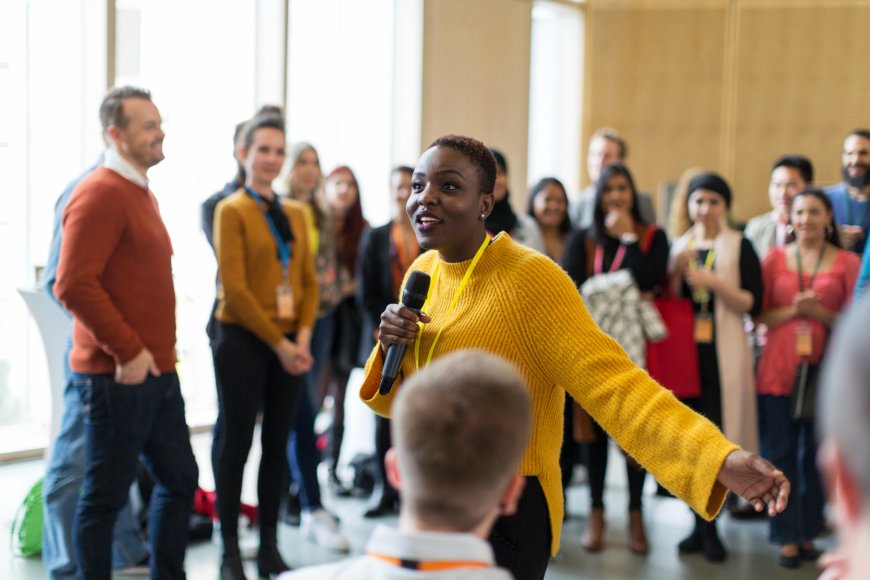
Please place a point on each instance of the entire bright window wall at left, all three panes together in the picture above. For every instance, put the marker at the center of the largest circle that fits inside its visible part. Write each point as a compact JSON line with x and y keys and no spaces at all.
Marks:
{"x":354,"y":87}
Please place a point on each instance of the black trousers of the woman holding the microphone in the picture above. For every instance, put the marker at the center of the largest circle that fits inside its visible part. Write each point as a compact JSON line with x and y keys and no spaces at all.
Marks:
{"x":521,"y":542}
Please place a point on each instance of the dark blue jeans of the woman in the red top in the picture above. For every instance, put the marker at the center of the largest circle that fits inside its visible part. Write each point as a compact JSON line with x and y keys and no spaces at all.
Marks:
{"x":792,"y":448}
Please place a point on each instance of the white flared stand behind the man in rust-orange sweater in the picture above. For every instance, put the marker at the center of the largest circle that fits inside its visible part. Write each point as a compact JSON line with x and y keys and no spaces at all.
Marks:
{"x":55,"y":329}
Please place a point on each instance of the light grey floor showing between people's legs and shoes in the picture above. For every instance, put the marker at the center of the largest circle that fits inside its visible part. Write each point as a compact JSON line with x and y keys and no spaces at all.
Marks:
{"x":668,"y":521}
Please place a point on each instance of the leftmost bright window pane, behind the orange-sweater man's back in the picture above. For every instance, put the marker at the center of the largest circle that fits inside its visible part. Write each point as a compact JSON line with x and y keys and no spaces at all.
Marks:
{"x":52,"y":67}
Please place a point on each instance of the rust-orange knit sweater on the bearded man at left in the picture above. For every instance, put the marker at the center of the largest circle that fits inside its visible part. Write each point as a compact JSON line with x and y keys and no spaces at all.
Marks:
{"x":115,"y":275}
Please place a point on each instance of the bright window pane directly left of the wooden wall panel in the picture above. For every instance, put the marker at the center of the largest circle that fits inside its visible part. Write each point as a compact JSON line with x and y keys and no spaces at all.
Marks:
{"x":355,"y":71}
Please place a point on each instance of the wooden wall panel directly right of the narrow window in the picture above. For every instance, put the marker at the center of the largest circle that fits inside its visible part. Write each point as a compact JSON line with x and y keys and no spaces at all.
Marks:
{"x":656,"y":75}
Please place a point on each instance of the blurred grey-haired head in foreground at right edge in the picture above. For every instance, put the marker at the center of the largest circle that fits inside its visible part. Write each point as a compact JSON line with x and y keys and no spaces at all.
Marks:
{"x":845,"y":424}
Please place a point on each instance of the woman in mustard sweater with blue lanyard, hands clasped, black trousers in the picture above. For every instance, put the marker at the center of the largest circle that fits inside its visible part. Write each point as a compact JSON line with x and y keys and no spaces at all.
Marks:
{"x":267,"y":304}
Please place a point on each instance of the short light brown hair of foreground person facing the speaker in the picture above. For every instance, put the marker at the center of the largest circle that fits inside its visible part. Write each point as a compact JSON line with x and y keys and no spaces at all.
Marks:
{"x":460,"y":428}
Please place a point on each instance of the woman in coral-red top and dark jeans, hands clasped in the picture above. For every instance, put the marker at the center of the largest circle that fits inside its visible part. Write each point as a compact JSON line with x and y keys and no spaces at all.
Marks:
{"x":806,"y":285}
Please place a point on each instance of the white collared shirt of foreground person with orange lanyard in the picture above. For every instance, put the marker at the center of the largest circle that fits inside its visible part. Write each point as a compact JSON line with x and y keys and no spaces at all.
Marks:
{"x":417,"y":546}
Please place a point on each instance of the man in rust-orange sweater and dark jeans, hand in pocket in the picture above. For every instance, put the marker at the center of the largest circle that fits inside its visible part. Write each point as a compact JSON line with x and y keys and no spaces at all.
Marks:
{"x":115,"y":277}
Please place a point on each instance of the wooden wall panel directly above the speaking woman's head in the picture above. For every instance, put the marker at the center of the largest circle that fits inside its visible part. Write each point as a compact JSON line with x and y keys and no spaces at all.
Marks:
{"x":476,"y":76}
